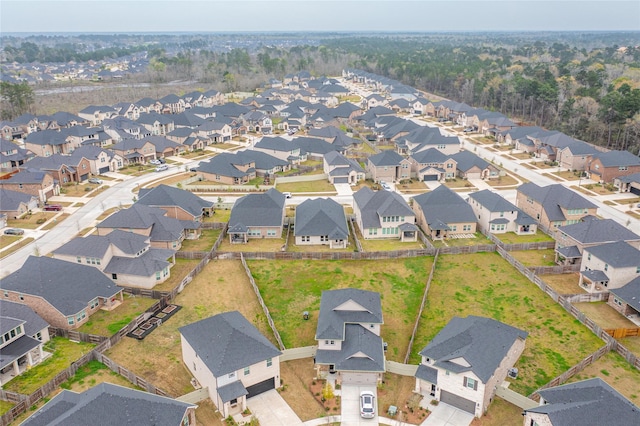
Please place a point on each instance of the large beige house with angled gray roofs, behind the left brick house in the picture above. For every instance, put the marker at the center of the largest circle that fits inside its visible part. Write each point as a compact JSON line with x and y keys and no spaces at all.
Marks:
{"x":125,"y":257}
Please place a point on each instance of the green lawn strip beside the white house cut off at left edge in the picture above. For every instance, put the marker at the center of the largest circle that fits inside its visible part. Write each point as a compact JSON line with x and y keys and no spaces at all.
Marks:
{"x":64,"y":353}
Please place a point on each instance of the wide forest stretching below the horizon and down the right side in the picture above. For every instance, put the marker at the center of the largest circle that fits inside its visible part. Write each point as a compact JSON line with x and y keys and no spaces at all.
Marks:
{"x":586,"y":85}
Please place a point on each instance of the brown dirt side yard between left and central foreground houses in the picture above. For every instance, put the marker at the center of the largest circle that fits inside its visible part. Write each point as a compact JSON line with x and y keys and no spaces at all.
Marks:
{"x":297,"y":377}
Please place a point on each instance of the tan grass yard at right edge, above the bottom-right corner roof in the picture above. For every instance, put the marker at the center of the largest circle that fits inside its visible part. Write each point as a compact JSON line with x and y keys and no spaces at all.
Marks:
{"x":617,"y":372}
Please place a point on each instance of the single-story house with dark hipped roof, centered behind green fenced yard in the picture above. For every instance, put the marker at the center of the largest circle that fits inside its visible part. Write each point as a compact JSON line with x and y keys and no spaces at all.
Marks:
{"x":321,"y":221}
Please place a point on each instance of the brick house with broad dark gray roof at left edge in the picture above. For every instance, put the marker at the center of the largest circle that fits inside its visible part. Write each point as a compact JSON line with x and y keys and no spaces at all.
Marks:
{"x":64,"y":294}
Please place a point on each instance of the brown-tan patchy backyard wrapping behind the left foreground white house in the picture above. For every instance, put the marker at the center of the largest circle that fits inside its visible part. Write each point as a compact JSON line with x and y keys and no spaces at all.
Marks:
{"x":222,"y":286}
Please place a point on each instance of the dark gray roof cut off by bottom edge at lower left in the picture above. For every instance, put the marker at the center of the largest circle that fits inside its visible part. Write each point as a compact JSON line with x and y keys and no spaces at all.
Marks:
{"x":112,"y":404}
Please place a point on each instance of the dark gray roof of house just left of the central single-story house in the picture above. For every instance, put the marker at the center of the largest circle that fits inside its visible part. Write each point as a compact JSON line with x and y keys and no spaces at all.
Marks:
{"x":265,"y":209}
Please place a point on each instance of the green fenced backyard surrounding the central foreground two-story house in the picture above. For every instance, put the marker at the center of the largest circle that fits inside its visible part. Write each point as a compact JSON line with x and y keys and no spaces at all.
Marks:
{"x":291,"y":287}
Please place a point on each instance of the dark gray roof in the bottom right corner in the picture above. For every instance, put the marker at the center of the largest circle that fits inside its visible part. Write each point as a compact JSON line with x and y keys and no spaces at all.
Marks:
{"x":590,"y":402}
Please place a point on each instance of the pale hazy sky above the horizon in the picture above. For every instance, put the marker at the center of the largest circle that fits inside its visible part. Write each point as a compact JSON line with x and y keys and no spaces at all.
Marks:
{"x":316,"y":15}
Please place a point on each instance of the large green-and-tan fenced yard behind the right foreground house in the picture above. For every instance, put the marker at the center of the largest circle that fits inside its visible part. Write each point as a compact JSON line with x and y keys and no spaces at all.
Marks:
{"x":484,"y":284}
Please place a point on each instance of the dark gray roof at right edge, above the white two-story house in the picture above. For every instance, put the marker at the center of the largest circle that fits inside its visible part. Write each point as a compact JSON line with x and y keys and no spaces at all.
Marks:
{"x":598,"y":231}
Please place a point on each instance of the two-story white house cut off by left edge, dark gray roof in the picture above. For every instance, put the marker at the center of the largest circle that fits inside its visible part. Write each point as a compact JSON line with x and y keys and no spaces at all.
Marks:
{"x":22,"y":337}
